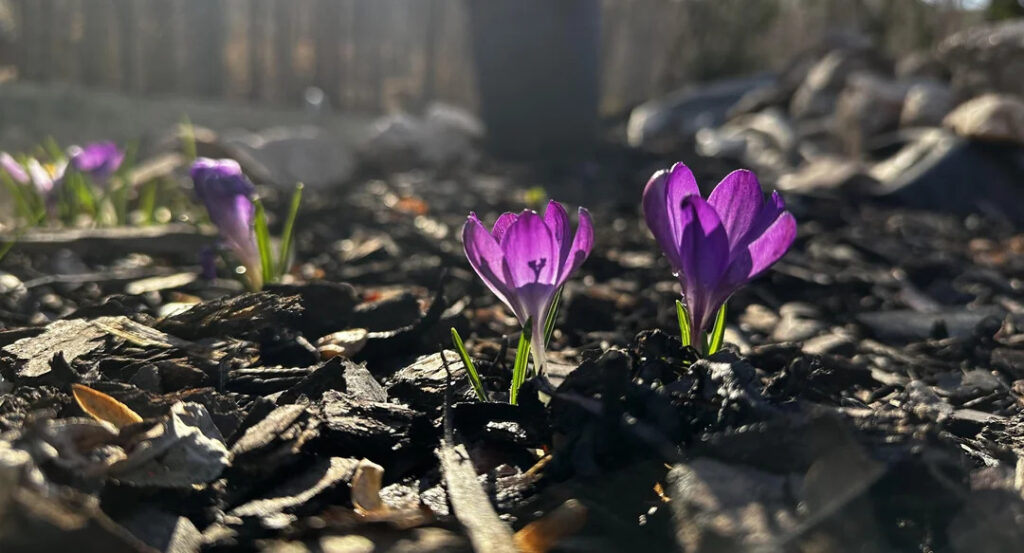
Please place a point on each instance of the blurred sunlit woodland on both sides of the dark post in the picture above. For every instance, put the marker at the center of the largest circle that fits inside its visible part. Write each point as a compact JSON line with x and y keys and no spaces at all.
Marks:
{"x":366,"y":55}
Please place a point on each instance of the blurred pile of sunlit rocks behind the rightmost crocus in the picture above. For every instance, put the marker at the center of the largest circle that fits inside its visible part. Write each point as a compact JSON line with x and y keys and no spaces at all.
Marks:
{"x":938,"y":130}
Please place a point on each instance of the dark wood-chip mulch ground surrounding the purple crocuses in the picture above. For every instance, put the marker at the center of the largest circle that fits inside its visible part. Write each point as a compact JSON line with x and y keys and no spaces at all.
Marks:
{"x":870,"y":399}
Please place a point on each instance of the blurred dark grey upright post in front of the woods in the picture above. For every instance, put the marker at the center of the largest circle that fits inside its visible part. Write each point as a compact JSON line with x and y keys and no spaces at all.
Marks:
{"x":538,"y":73}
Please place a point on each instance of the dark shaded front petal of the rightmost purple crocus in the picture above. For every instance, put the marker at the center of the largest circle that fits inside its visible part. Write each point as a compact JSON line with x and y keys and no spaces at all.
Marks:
{"x":705,"y":248}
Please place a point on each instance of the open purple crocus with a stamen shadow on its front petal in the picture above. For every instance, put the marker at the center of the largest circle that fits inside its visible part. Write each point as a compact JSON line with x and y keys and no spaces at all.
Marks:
{"x":526,"y":259}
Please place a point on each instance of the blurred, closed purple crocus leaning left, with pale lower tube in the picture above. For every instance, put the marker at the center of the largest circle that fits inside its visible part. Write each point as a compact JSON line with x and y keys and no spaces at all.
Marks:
{"x":228,"y":196}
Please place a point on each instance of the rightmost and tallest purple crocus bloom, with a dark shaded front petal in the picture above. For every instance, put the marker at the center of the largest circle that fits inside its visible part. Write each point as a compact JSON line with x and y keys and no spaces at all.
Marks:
{"x":715,"y":246}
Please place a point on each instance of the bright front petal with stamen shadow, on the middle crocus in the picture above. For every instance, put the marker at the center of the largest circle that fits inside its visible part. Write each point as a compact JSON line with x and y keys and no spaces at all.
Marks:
{"x":533,"y":259}
